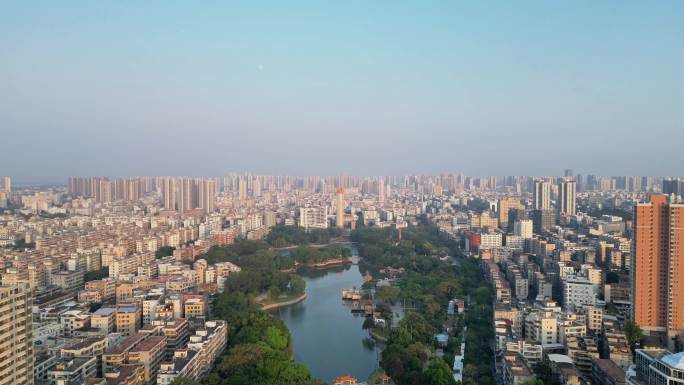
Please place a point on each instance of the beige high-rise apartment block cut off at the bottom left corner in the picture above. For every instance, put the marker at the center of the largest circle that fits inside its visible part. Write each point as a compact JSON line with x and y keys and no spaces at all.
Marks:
{"x":16,"y":342}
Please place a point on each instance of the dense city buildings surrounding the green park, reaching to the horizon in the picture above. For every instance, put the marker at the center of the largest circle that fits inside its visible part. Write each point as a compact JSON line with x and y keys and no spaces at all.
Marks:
{"x":567,"y":267}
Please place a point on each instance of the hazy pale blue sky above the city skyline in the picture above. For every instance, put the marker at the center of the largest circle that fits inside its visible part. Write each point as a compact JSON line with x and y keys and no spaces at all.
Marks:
{"x":363,"y":87}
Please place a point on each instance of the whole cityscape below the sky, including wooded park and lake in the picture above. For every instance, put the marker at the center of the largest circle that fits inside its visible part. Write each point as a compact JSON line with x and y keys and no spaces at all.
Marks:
{"x":135,"y":273}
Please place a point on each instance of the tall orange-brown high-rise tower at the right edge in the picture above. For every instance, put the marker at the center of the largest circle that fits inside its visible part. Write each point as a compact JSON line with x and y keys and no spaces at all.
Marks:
{"x":658,"y":266}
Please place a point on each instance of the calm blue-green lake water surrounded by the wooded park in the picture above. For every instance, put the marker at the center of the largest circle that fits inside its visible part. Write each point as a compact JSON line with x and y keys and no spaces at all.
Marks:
{"x":327,"y":338}
